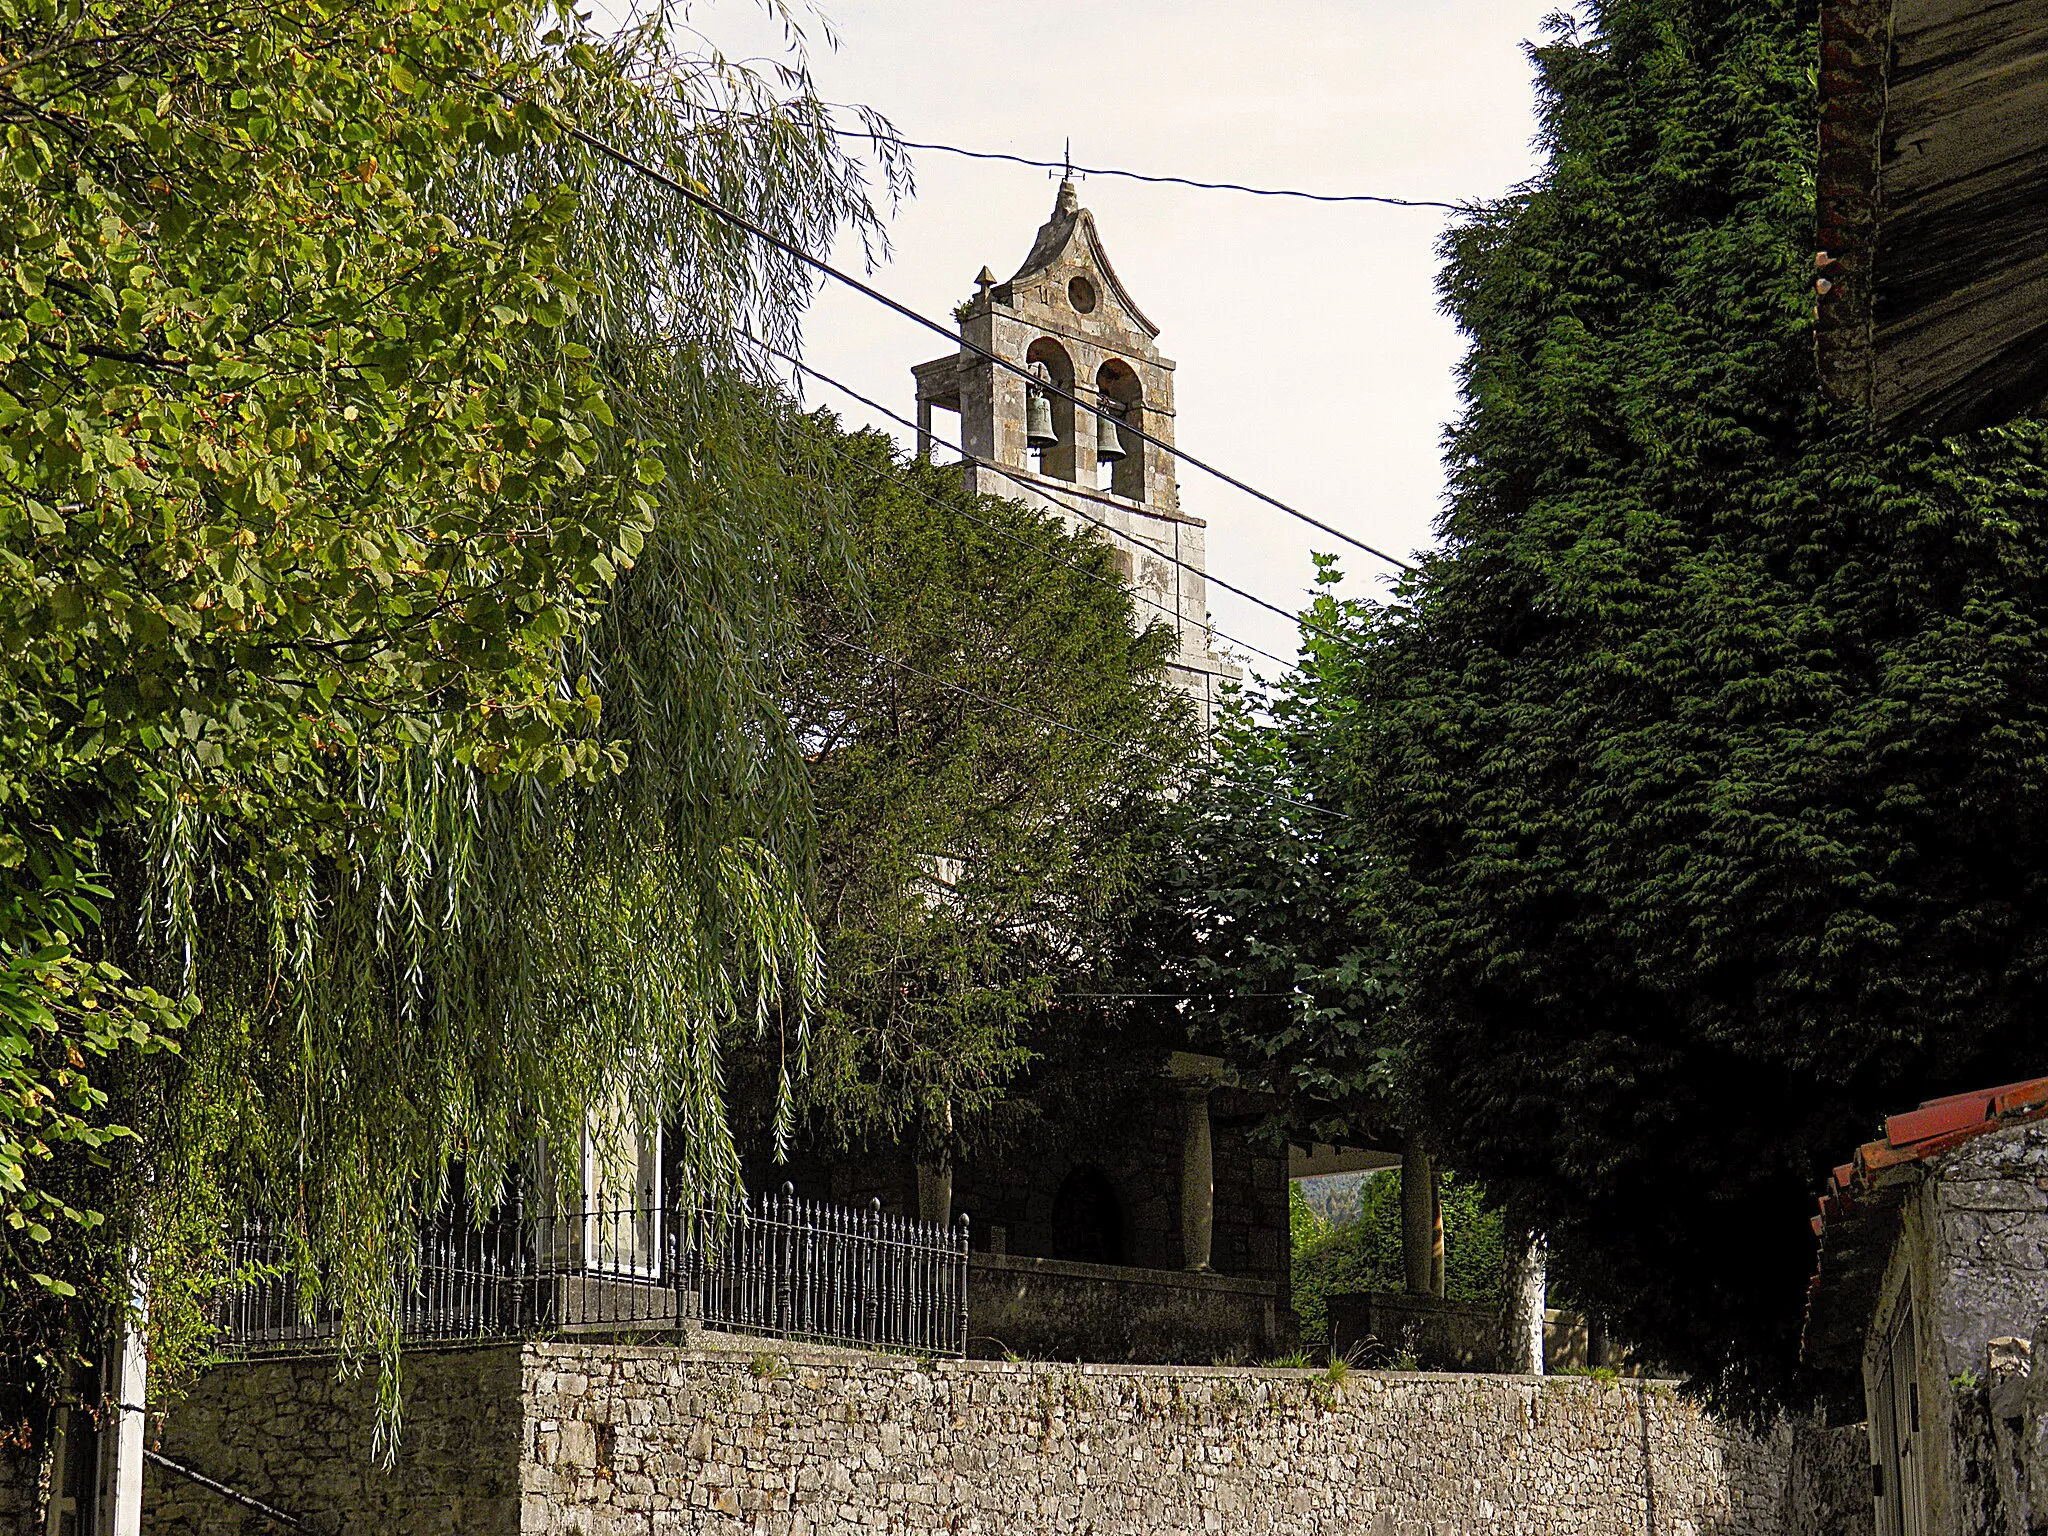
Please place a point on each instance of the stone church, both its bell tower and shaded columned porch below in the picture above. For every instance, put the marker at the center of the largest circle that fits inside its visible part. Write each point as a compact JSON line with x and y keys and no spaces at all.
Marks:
{"x":1140,"y":1213}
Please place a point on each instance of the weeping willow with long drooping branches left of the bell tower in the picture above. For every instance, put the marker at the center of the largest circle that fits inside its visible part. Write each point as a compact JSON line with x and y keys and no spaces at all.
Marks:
{"x":425,"y":957}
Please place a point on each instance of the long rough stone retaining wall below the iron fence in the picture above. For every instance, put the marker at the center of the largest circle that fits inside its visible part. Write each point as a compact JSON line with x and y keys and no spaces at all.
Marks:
{"x":554,"y":1439}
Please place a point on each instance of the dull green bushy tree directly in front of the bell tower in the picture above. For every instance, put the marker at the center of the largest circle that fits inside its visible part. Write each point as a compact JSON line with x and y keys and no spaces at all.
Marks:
{"x":990,"y":744}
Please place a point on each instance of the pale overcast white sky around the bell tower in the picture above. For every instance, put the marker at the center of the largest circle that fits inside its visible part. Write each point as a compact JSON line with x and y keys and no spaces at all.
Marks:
{"x":1314,"y":359}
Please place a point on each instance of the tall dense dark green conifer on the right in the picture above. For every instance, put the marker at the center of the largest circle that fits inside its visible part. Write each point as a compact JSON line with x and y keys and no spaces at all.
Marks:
{"x":1709,"y":751}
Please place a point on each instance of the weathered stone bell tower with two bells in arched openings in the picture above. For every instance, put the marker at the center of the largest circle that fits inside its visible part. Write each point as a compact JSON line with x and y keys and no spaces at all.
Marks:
{"x":1068,"y":321}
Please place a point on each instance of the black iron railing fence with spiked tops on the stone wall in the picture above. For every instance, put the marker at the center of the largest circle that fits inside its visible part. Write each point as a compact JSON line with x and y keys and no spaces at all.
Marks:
{"x":779,"y":1265}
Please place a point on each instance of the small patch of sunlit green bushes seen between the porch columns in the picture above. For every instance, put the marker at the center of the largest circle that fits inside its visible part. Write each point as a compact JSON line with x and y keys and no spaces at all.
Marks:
{"x":1365,"y":1252}
